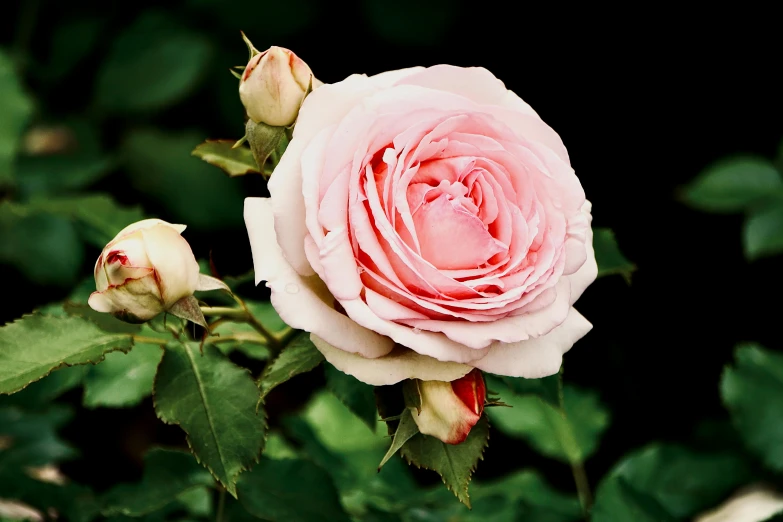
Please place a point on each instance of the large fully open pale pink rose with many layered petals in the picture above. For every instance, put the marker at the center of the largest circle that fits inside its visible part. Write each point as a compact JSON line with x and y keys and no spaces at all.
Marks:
{"x":425,"y":222}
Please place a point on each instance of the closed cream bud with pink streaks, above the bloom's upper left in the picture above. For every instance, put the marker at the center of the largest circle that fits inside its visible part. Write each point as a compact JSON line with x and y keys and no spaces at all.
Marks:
{"x":273,"y":86}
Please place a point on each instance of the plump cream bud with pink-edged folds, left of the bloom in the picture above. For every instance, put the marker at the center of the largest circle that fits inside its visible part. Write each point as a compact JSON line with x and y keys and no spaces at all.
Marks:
{"x":144,"y":271}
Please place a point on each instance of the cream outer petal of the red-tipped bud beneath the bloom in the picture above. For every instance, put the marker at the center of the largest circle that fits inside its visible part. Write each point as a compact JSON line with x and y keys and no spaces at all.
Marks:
{"x":443,"y":414}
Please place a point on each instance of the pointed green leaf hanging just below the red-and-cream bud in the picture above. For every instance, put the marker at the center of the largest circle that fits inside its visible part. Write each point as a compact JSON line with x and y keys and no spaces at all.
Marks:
{"x":454,"y":463}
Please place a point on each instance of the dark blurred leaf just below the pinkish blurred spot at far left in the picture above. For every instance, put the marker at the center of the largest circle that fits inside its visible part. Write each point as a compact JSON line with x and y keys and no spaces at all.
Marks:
{"x":38,"y":175}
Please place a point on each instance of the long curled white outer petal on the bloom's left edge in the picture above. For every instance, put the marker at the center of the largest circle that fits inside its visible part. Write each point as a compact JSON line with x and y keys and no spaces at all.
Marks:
{"x":303,"y":302}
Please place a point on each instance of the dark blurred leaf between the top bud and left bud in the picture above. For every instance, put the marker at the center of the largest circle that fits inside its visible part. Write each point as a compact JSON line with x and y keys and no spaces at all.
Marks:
{"x":161,"y":166}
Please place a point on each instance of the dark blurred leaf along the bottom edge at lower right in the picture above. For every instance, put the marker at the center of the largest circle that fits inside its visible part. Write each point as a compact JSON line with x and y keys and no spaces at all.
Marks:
{"x":682,"y":481}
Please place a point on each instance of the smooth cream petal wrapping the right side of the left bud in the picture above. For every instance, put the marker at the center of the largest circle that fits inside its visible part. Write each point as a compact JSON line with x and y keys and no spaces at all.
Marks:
{"x":173,"y":260}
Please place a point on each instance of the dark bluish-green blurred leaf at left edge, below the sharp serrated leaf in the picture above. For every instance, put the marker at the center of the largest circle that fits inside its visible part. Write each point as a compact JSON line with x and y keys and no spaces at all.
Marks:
{"x":32,"y":437}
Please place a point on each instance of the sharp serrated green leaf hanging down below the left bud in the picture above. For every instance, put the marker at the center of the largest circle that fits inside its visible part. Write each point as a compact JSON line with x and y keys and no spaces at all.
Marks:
{"x":214,"y":401}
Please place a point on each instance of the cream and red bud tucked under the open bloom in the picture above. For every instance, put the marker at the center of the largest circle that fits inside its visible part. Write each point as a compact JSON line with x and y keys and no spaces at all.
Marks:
{"x":450,"y":409}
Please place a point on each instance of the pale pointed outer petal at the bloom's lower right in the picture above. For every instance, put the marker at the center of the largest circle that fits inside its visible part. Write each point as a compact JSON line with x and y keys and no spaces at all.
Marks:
{"x":535,"y":358}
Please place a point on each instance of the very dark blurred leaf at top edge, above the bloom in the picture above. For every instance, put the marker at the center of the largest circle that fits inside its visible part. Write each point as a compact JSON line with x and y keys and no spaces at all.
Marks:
{"x":411,"y":22}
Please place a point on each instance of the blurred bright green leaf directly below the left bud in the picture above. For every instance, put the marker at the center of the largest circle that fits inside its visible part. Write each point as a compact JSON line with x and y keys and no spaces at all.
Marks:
{"x":122,"y":380}
